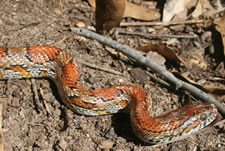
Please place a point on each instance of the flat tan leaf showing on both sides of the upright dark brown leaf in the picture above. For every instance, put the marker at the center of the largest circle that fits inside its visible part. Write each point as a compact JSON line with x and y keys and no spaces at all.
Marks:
{"x":135,"y":11}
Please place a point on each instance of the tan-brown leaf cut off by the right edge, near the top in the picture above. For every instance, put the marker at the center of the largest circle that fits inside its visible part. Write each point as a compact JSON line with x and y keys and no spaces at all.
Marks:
{"x":221,"y":28}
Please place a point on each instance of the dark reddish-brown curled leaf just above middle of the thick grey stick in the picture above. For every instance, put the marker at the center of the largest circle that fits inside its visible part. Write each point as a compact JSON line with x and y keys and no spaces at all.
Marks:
{"x":164,"y":51}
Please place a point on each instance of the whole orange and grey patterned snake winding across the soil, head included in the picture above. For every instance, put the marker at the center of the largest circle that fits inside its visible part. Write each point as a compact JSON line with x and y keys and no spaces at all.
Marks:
{"x":55,"y":64}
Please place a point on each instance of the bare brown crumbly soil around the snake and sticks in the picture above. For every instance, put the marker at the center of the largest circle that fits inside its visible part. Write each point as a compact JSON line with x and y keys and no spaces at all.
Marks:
{"x":38,"y":120}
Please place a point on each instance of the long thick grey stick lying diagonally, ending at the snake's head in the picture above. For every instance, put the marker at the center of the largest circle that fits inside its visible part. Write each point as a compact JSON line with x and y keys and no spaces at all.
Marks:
{"x":151,"y":64}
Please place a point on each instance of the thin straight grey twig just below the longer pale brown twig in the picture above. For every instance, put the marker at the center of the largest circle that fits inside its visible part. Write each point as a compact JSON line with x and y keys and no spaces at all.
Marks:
{"x":147,"y":35}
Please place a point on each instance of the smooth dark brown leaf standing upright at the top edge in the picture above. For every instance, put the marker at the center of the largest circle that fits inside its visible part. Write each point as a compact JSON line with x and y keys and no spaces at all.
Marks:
{"x":108,"y":14}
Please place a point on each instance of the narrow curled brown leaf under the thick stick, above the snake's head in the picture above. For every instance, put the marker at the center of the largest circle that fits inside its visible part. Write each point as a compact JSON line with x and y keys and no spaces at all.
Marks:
{"x":214,"y":91}
